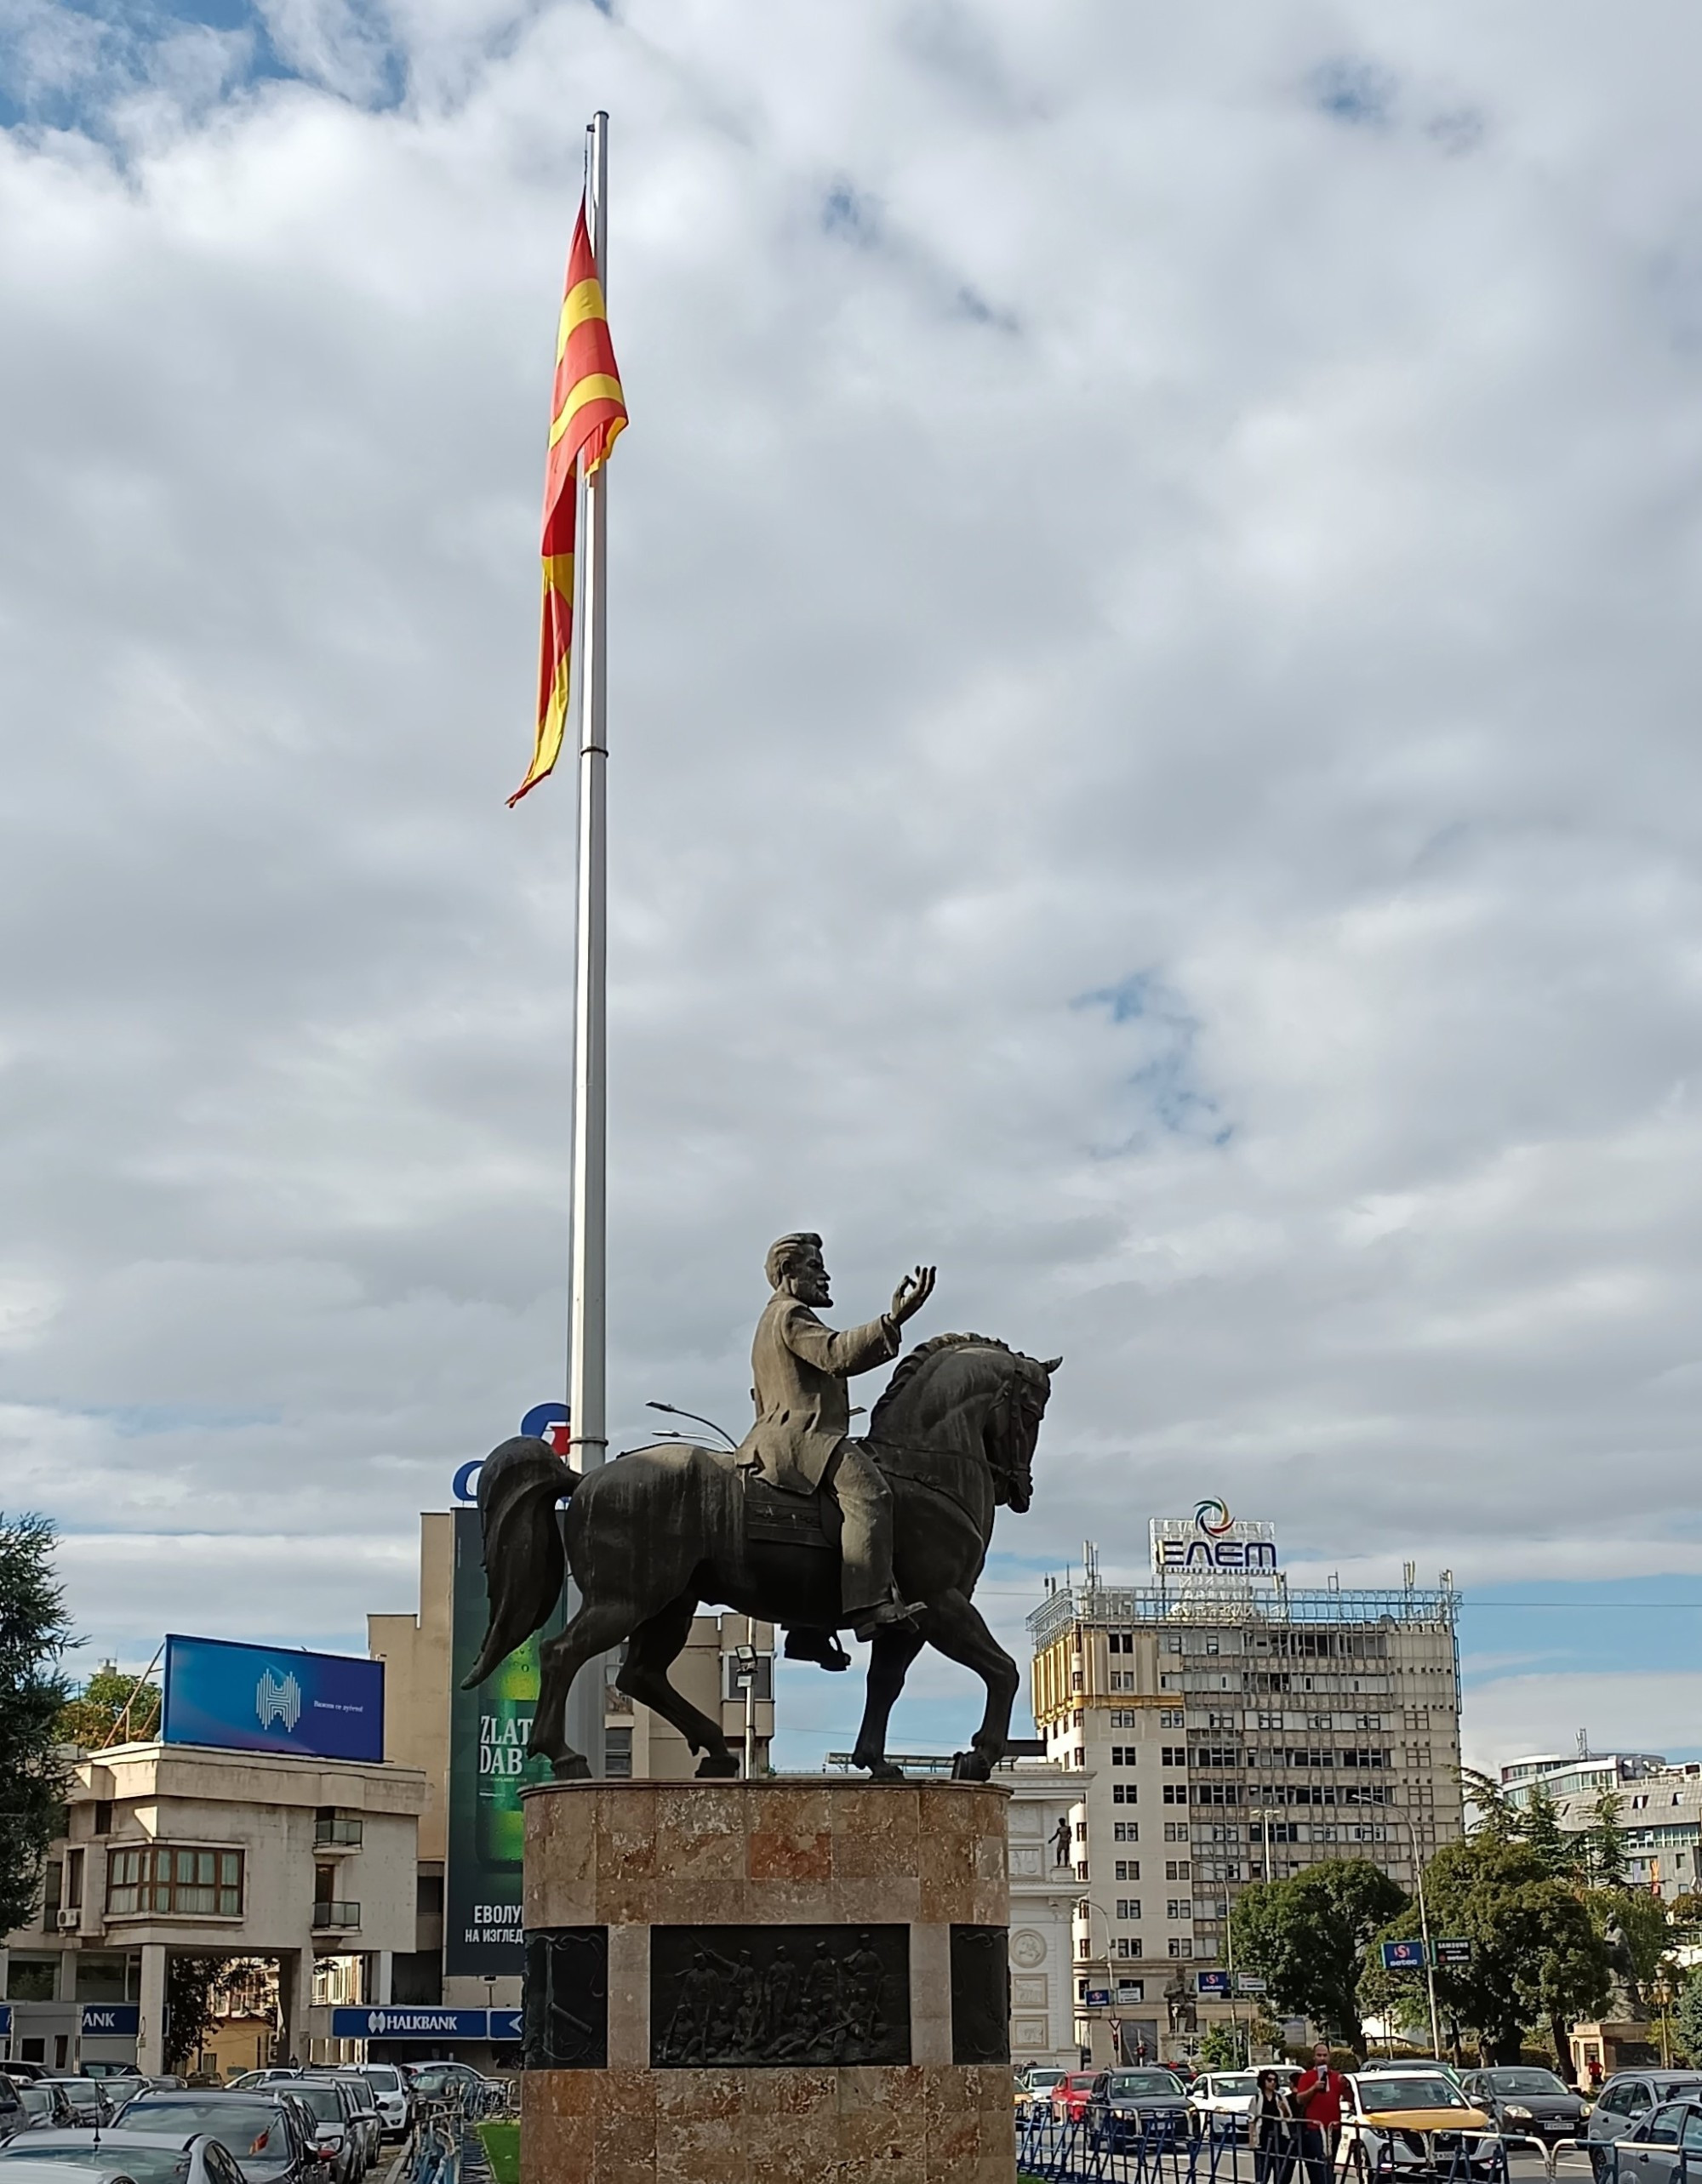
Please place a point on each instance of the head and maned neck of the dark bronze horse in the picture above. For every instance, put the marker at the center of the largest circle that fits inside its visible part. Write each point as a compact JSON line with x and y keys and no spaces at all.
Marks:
{"x":978,"y":1388}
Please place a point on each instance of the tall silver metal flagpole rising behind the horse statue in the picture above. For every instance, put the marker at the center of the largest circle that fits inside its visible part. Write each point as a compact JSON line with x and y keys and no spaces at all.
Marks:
{"x":589,"y":1283}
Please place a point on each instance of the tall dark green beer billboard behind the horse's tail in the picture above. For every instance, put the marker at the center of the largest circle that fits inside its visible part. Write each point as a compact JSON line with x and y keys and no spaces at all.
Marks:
{"x":488,"y":1770}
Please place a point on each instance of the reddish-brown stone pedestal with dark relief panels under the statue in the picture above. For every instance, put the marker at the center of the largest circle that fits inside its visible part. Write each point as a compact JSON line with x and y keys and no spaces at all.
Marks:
{"x":785,"y":1982}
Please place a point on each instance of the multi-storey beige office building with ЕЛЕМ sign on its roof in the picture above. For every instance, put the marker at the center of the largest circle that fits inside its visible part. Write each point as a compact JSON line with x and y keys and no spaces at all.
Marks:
{"x":1229,"y":1729}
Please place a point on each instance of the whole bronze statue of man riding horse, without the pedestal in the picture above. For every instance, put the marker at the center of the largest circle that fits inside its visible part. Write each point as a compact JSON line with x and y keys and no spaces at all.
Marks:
{"x":799,"y":1526}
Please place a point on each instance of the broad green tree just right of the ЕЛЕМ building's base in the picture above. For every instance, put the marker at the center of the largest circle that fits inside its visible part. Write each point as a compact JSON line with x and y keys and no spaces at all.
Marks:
{"x":1537,"y":1954}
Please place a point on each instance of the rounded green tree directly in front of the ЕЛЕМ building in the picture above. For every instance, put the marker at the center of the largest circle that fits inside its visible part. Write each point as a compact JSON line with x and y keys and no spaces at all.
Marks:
{"x":1310,"y":1936}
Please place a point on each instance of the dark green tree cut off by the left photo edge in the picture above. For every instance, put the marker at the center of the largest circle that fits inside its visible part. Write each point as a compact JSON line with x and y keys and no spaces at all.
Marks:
{"x":34,"y":1635}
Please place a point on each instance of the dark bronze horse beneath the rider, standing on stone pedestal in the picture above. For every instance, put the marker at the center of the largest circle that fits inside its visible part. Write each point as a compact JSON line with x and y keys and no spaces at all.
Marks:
{"x":654,"y":1534}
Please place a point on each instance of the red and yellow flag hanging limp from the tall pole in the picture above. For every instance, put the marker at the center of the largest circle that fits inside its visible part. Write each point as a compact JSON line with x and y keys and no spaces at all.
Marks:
{"x":587,"y":416}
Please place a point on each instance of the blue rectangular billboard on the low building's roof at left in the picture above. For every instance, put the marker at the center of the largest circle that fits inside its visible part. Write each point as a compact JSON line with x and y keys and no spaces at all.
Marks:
{"x":259,"y":1698}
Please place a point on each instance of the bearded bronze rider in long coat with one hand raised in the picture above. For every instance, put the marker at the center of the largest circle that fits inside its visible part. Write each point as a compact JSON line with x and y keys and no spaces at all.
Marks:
{"x":803,"y":1419}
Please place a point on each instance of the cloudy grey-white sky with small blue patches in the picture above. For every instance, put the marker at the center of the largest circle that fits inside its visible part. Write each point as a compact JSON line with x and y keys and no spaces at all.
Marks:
{"x":1155,"y":682}
